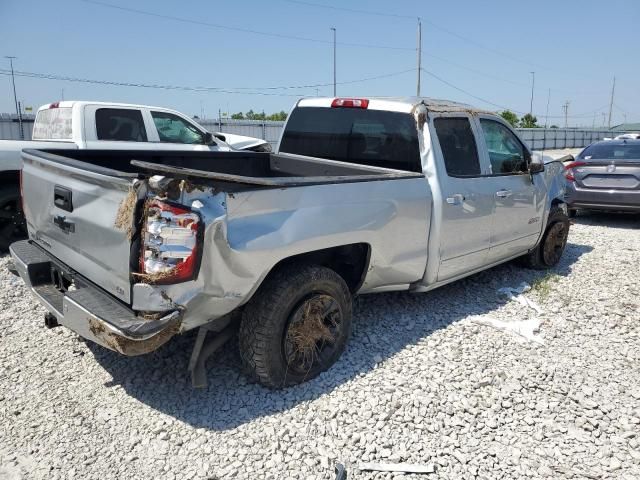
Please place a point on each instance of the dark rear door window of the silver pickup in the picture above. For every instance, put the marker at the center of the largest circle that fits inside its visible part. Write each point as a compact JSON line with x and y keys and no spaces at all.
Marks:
{"x":458,"y":147}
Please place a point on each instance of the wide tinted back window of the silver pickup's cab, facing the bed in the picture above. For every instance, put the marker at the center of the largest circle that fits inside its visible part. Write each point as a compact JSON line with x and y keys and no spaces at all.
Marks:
{"x":366,"y":137}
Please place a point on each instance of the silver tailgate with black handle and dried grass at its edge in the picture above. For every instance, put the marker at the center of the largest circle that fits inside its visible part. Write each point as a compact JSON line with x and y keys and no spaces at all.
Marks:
{"x":72,"y":209}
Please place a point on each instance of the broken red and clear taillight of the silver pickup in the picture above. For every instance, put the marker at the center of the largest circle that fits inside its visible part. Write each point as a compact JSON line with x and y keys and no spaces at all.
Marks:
{"x":171,"y":244}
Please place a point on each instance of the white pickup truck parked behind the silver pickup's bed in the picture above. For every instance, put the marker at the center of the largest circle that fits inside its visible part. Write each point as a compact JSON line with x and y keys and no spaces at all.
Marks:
{"x":105,"y":126}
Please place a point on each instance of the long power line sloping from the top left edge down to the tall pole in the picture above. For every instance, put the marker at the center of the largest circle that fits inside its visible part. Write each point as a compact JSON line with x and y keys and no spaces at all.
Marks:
{"x":239,"y":29}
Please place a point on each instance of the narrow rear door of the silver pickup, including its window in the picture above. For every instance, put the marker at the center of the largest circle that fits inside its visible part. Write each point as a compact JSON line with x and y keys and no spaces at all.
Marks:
{"x":467,"y":204}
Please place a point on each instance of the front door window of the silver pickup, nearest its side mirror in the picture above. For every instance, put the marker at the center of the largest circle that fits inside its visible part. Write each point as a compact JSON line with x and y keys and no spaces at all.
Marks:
{"x":506,"y":154}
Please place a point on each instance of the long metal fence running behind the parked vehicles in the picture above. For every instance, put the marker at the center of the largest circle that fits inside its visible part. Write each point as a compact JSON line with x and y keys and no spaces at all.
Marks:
{"x":536,"y":138}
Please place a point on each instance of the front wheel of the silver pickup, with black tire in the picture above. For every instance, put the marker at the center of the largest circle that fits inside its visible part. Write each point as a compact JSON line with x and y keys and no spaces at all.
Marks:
{"x":548,"y":252}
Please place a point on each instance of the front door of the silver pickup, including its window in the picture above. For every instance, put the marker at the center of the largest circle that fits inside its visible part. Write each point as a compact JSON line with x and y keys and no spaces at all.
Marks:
{"x":519,"y":197}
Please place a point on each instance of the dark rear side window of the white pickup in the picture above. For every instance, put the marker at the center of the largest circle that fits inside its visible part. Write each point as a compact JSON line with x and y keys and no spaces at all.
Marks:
{"x":120,"y":124}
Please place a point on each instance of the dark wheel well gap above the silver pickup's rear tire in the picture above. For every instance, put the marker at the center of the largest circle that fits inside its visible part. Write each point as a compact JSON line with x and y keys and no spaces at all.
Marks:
{"x":349,"y":261}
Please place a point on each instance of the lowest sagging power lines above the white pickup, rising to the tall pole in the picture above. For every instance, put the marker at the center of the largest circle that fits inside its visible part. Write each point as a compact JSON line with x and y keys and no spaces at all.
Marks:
{"x":236,"y":90}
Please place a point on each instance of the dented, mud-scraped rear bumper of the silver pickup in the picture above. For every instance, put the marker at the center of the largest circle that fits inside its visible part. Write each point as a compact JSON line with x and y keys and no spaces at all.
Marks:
{"x":89,"y":311}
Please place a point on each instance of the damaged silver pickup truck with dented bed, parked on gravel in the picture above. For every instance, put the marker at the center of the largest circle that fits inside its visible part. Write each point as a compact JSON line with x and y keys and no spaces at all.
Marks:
{"x":129,"y":248}
